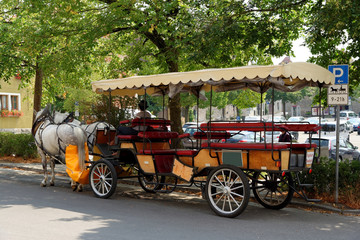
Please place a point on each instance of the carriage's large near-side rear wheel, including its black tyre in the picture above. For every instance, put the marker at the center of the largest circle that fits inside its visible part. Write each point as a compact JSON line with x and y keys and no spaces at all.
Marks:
{"x":227,"y":191}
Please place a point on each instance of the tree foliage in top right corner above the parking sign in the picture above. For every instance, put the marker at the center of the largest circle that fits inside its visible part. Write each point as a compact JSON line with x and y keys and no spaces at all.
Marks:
{"x":333,"y":29}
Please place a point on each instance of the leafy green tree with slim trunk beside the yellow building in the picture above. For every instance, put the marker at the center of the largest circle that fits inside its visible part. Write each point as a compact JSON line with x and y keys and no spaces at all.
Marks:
{"x":35,"y":42}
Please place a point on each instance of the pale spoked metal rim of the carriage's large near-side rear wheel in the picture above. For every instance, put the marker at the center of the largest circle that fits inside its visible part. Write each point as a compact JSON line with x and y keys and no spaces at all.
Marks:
{"x":226,"y":198}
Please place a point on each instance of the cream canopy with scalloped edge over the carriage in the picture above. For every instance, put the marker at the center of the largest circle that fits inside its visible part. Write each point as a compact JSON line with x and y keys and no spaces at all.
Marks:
{"x":289,"y":78}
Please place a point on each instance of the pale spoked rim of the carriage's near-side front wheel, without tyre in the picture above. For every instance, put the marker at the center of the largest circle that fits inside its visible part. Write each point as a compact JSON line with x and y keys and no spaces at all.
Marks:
{"x":101,"y":179}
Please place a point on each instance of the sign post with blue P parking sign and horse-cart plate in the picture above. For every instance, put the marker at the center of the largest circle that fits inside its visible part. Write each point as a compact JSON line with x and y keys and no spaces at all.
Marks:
{"x":338,"y":94}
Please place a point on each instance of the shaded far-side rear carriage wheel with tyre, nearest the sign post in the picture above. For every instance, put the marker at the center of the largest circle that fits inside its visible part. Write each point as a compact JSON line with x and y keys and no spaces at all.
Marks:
{"x":272,"y":190}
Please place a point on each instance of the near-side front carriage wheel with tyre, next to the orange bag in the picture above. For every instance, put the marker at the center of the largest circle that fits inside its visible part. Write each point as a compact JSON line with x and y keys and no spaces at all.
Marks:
{"x":103,"y":178}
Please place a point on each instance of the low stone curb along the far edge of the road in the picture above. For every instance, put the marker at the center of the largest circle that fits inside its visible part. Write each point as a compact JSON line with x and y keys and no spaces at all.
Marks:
{"x":295,"y":201}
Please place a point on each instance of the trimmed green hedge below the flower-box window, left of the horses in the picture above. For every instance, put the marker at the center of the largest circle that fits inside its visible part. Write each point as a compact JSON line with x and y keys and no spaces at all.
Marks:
{"x":21,"y":145}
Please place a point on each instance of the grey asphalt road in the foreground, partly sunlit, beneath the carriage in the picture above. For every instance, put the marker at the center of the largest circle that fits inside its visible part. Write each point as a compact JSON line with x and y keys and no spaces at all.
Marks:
{"x":28,"y":211}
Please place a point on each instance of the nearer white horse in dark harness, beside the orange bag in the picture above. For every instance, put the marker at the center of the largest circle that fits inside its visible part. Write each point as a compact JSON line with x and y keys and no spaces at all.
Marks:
{"x":51,"y":140}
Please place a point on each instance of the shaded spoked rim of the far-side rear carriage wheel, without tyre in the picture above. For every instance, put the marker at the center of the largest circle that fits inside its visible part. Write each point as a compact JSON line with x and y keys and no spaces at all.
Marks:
{"x":275,"y":196}
